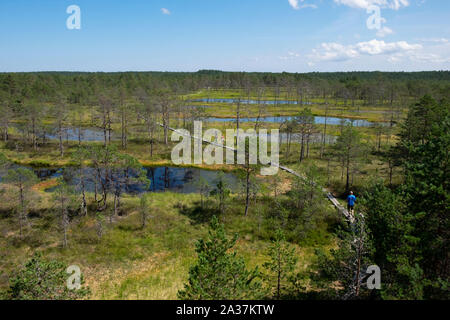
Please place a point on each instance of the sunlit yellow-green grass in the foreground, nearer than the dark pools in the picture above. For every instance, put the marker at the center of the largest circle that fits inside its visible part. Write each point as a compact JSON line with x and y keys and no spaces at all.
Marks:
{"x":130,"y":262}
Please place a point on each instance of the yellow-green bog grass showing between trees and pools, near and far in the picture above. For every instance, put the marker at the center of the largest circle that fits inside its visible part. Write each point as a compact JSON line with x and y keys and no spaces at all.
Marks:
{"x":130,"y":262}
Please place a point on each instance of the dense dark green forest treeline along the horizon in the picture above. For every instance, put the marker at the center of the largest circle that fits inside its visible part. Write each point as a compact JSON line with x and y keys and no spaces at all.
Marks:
{"x":368,"y":86}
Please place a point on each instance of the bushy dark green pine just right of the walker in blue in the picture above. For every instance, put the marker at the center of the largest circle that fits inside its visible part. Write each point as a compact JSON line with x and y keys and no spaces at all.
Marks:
{"x":394,"y":244}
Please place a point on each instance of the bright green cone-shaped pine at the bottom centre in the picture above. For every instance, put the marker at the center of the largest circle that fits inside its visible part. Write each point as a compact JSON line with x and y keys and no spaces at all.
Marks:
{"x":220,"y":274}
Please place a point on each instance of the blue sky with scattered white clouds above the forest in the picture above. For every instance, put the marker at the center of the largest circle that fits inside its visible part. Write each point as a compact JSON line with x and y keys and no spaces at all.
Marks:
{"x":232,"y":35}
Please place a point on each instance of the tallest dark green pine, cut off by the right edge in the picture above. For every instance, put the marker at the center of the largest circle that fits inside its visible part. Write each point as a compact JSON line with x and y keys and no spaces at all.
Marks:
{"x":426,"y":144}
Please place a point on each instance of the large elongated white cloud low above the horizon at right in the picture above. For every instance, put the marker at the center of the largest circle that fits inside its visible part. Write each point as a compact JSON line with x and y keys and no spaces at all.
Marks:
{"x":339,"y":52}
